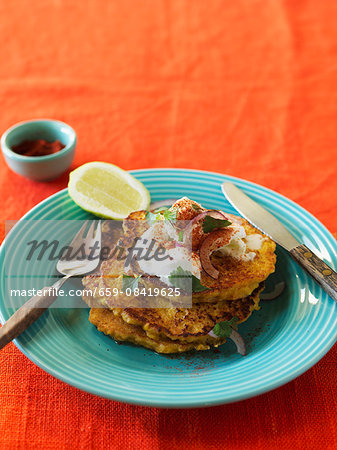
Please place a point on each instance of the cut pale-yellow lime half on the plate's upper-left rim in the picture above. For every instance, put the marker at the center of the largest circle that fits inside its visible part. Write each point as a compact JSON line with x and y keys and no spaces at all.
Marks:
{"x":107,"y":190}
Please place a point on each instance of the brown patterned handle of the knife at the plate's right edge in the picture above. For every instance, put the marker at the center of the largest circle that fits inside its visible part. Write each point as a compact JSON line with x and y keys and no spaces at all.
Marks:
{"x":317,"y":269}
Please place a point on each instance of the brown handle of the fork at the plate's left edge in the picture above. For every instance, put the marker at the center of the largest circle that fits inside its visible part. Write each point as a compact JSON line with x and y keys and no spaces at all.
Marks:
{"x":26,"y":315}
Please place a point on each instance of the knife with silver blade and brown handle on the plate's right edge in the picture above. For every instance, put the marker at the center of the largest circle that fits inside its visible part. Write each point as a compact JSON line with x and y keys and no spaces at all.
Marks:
{"x":261,"y":219}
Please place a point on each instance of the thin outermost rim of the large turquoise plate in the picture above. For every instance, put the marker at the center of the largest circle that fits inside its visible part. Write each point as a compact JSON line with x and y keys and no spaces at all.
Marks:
{"x":126,"y":398}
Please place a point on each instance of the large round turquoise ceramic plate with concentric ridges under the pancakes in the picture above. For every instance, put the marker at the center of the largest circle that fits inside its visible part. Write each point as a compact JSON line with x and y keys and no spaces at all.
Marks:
{"x":285,"y":338}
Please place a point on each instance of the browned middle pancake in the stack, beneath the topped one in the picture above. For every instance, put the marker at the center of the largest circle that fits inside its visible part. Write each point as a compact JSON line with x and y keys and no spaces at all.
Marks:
{"x":186,"y":324}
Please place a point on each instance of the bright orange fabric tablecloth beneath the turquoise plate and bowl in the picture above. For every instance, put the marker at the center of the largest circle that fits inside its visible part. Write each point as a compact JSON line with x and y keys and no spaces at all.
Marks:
{"x":247,"y":88}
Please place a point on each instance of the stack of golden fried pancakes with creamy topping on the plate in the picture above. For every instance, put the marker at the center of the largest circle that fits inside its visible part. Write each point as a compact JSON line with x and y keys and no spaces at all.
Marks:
{"x":172,"y":328}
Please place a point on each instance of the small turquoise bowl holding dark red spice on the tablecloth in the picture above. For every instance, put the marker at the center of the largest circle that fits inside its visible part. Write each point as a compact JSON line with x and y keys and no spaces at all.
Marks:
{"x":39,"y":168}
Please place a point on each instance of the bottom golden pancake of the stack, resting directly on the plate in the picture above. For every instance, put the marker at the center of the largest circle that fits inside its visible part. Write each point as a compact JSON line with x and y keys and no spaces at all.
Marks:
{"x":114,"y":326}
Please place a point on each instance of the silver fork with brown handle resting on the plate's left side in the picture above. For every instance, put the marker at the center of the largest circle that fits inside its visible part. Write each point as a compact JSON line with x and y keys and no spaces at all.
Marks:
{"x":37,"y":305}
